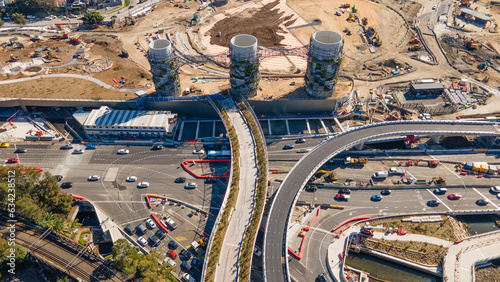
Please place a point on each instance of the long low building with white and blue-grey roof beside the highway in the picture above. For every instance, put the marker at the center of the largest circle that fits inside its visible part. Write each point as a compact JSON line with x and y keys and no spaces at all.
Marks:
{"x":127,"y":123}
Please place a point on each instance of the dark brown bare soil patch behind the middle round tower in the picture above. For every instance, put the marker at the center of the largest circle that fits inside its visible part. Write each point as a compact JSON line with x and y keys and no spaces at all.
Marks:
{"x":262,"y":23}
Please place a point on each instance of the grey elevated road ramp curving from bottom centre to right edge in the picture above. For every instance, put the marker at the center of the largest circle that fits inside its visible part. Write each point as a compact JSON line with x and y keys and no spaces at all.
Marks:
{"x":275,"y":245}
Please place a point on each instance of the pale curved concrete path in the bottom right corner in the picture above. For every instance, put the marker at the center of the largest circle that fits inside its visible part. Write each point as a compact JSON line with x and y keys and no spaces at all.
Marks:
{"x":459,"y":263}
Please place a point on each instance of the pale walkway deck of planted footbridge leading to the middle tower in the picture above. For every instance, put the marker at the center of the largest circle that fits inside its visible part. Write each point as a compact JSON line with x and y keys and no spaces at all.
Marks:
{"x":228,"y":268}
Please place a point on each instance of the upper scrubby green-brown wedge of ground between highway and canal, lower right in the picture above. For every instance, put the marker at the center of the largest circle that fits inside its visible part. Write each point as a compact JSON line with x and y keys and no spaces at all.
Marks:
{"x":442,"y":230}
